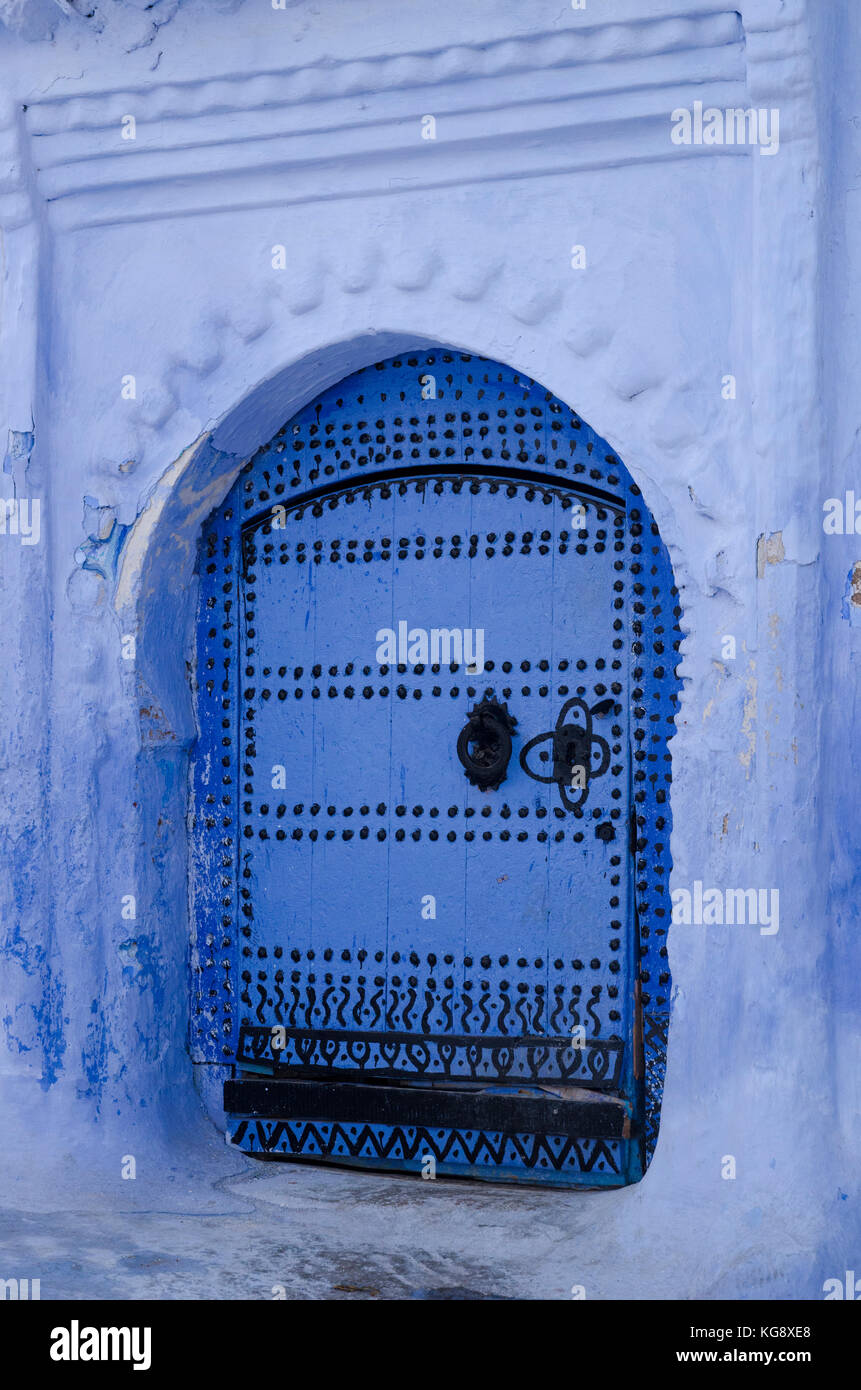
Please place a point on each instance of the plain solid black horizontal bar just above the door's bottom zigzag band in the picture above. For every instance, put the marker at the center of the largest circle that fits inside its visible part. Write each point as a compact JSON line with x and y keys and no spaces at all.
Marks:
{"x":407,"y":1106}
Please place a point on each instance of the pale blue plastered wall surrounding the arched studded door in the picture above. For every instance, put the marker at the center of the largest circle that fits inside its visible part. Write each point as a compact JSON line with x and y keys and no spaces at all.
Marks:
{"x":303,"y":129}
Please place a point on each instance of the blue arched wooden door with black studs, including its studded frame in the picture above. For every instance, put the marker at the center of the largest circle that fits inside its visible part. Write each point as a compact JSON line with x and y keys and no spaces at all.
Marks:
{"x":436,"y":686}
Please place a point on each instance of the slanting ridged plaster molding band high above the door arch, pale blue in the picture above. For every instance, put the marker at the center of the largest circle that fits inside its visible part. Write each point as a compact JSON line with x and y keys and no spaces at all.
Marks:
{"x":549,"y":104}
